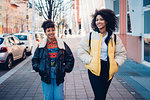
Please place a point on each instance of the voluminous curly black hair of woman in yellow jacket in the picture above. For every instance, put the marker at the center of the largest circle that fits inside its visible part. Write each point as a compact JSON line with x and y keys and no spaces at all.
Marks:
{"x":110,"y":18}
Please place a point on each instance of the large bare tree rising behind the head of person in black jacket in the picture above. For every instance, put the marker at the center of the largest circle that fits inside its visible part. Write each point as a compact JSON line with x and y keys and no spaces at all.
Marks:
{"x":54,"y":10}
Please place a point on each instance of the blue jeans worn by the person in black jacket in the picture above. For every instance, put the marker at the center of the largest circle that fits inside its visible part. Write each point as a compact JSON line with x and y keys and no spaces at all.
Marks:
{"x":52,"y":91}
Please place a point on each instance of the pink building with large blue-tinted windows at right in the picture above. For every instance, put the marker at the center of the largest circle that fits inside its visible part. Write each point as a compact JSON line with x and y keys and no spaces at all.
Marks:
{"x":133,"y":28}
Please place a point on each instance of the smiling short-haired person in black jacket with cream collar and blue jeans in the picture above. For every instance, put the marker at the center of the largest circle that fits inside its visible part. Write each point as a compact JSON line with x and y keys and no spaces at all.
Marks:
{"x":52,"y":59}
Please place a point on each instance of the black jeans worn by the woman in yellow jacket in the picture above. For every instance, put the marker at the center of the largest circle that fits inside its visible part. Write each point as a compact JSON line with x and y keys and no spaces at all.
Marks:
{"x":100,"y":84}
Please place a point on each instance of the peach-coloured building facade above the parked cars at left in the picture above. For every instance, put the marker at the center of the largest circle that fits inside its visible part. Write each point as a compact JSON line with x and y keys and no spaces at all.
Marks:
{"x":13,"y":16}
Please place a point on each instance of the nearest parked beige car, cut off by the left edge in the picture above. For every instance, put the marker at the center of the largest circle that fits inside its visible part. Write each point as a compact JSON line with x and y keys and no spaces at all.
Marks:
{"x":11,"y":49}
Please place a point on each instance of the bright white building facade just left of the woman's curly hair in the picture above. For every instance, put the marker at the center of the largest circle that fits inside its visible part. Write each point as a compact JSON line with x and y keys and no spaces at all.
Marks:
{"x":87,"y":8}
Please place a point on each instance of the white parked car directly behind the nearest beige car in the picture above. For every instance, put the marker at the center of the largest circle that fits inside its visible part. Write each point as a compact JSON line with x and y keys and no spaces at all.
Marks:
{"x":26,"y":38}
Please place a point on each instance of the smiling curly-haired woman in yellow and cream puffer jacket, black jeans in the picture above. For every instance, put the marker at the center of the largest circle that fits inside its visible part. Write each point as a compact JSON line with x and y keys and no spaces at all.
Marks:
{"x":102,"y":52}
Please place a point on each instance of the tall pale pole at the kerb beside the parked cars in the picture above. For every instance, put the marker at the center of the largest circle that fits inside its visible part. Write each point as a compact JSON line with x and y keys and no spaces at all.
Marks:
{"x":33,"y":31}
